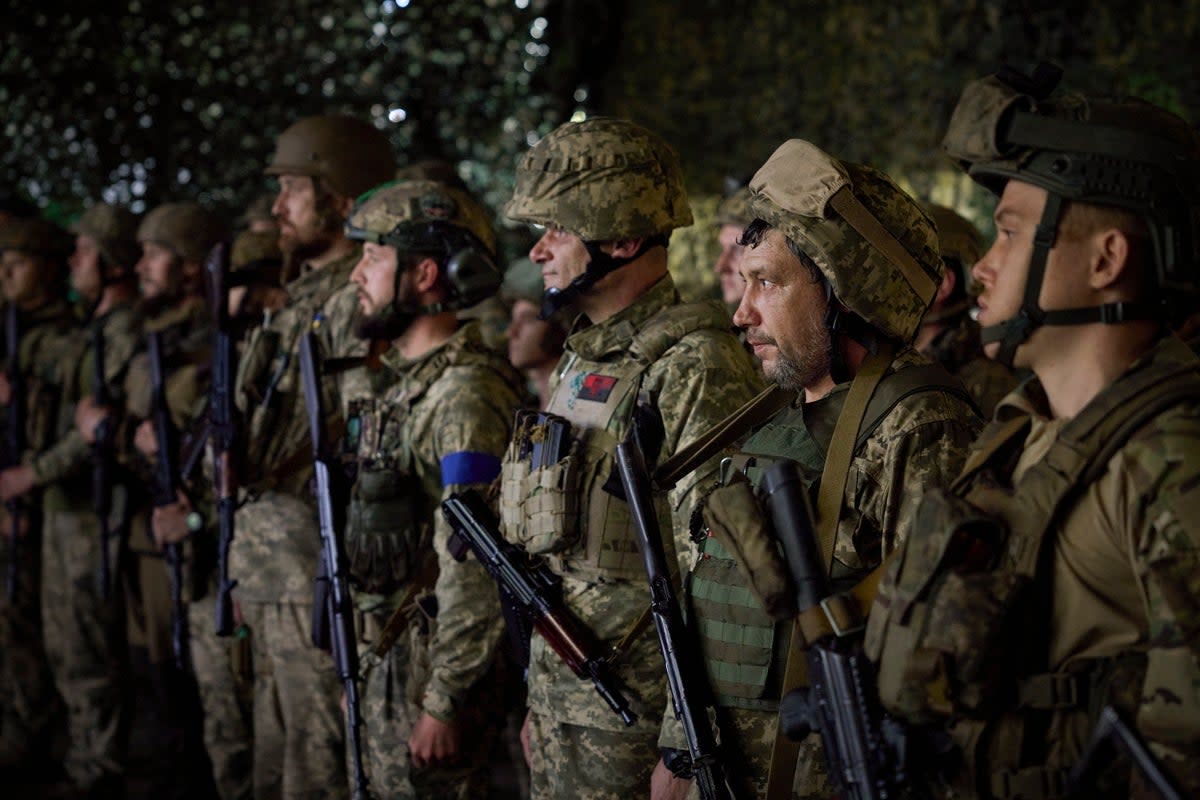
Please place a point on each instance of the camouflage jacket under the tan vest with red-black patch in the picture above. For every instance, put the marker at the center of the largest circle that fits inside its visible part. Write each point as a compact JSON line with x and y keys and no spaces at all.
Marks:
{"x":694,"y":386}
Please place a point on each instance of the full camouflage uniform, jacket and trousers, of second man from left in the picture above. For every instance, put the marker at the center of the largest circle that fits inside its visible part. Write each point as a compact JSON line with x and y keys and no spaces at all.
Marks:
{"x":85,"y":634}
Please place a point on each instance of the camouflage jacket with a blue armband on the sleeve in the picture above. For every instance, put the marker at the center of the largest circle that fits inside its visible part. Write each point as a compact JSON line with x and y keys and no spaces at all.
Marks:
{"x":440,"y":426}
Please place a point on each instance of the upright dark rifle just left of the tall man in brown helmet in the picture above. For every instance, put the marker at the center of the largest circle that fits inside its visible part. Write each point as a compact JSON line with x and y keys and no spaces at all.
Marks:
{"x":223,"y":429}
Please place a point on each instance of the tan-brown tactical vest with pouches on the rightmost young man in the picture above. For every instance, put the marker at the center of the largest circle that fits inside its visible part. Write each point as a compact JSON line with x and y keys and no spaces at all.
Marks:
{"x":958,"y":597}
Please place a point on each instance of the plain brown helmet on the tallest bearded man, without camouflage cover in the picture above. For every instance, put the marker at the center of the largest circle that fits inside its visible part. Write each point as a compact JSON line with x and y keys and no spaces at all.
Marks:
{"x":351,"y":155}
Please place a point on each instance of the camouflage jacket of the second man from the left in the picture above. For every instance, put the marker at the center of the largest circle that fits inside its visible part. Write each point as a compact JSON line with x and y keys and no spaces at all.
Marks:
{"x":121,"y":329}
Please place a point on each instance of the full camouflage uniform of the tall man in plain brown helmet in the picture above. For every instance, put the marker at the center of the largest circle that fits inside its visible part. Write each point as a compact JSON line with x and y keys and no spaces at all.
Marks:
{"x":297,"y":721}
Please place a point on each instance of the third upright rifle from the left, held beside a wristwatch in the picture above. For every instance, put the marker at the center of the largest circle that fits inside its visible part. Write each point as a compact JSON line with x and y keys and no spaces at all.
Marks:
{"x":166,"y":492}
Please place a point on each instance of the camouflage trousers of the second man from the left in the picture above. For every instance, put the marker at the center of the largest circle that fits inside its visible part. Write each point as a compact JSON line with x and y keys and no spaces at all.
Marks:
{"x":85,"y":642}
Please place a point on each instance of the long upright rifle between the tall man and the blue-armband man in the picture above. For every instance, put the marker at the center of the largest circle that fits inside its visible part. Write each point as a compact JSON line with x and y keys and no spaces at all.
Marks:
{"x":341,"y":641}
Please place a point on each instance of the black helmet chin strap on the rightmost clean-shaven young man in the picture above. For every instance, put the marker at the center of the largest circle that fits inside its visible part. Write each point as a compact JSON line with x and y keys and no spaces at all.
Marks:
{"x":1017,"y":330}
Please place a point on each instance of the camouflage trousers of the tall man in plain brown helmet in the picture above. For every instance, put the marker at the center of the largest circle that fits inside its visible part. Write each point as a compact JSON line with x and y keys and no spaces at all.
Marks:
{"x":298,"y":721}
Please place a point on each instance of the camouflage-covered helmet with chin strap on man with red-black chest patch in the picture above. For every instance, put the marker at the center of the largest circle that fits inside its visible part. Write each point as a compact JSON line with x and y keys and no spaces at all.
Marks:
{"x":603,"y":179}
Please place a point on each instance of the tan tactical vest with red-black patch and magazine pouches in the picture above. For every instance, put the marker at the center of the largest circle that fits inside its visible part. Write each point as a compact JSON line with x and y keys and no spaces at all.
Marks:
{"x":563,"y":512}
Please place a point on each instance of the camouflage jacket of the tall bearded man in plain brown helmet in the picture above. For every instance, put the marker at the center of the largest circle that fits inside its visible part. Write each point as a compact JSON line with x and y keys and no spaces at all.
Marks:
{"x":275,"y":551}
